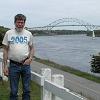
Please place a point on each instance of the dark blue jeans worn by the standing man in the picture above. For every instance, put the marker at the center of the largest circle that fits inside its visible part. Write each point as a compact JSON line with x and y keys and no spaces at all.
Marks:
{"x":15,"y":72}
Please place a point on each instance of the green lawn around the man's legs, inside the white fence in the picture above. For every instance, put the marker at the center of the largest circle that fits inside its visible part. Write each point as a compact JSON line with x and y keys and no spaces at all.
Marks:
{"x":5,"y":90}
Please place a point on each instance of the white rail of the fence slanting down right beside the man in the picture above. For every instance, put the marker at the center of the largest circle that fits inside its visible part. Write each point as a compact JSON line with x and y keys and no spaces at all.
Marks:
{"x":55,"y":89}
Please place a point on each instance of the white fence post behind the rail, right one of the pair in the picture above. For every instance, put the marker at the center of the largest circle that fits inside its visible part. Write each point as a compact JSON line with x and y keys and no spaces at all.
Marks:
{"x":59,"y":80}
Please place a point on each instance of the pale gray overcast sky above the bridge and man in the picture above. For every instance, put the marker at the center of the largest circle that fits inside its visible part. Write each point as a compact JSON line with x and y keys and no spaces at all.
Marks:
{"x":43,"y":12}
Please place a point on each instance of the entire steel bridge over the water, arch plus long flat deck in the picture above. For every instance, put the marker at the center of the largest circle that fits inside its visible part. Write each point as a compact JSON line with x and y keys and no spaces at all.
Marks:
{"x":57,"y":23}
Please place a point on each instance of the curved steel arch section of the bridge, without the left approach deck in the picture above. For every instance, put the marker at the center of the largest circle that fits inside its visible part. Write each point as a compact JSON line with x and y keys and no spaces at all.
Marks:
{"x":72,"y":20}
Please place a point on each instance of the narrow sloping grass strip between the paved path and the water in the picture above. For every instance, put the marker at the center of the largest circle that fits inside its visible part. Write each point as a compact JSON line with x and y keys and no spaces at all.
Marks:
{"x":69,"y":70}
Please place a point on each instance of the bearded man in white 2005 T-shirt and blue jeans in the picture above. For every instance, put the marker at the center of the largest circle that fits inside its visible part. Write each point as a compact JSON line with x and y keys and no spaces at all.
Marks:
{"x":18,"y":48}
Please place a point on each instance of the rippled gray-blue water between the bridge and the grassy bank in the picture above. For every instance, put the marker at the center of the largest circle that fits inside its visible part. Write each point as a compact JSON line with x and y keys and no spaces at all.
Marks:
{"x":71,"y":50}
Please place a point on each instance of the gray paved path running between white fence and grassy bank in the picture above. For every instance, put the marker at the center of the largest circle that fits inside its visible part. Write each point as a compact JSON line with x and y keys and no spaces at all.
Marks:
{"x":77,"y":84}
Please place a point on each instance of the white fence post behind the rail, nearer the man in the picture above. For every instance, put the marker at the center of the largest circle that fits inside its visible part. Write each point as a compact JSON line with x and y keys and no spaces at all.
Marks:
{"x":46,"y":72}
